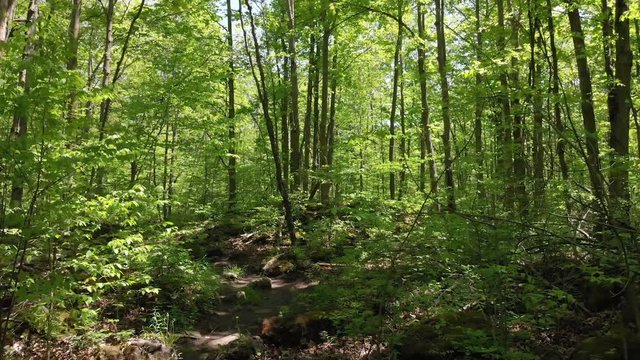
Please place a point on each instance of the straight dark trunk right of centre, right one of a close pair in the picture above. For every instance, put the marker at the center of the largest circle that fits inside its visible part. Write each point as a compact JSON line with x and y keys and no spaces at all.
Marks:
{"x":444,"y":93}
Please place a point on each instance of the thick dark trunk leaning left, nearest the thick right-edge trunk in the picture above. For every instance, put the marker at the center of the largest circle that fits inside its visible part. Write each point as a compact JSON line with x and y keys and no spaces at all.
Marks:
{"x":588,"y":114}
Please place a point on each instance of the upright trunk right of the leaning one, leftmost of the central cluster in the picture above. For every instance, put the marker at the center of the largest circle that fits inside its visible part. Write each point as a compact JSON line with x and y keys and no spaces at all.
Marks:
{"x":295,"y":93}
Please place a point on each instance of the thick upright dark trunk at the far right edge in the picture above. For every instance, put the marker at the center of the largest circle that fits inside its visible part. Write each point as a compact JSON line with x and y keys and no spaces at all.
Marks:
{"x":619,"y":135}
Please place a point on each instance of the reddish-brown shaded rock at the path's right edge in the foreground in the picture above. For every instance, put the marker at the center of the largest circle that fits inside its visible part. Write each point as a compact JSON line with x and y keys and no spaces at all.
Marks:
{"x":296,"y":330}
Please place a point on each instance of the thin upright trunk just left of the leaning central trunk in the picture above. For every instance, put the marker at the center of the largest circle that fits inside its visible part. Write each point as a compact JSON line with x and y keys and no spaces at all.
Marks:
{"x":232,"y":182}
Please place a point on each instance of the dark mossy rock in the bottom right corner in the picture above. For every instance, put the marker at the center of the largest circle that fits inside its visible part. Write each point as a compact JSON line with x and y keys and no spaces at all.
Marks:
{"x":618,"y":344}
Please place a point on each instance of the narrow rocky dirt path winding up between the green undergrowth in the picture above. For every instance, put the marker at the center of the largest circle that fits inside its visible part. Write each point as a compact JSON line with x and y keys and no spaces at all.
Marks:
{"x":245,"y":302}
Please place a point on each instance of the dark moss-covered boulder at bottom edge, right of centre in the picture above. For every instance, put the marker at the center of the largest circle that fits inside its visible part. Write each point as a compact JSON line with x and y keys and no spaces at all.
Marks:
{"x":450,"y":335}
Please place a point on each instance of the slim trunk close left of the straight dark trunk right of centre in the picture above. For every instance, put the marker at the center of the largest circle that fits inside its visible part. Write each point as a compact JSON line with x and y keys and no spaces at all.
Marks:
{"x":426,"y":145}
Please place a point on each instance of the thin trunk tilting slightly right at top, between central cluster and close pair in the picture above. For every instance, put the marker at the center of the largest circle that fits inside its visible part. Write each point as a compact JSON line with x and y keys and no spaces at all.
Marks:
{"x":397,"y":72}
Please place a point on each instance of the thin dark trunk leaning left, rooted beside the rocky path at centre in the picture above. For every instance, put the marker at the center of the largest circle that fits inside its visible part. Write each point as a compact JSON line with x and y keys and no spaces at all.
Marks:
{"x":264,"y":101}
